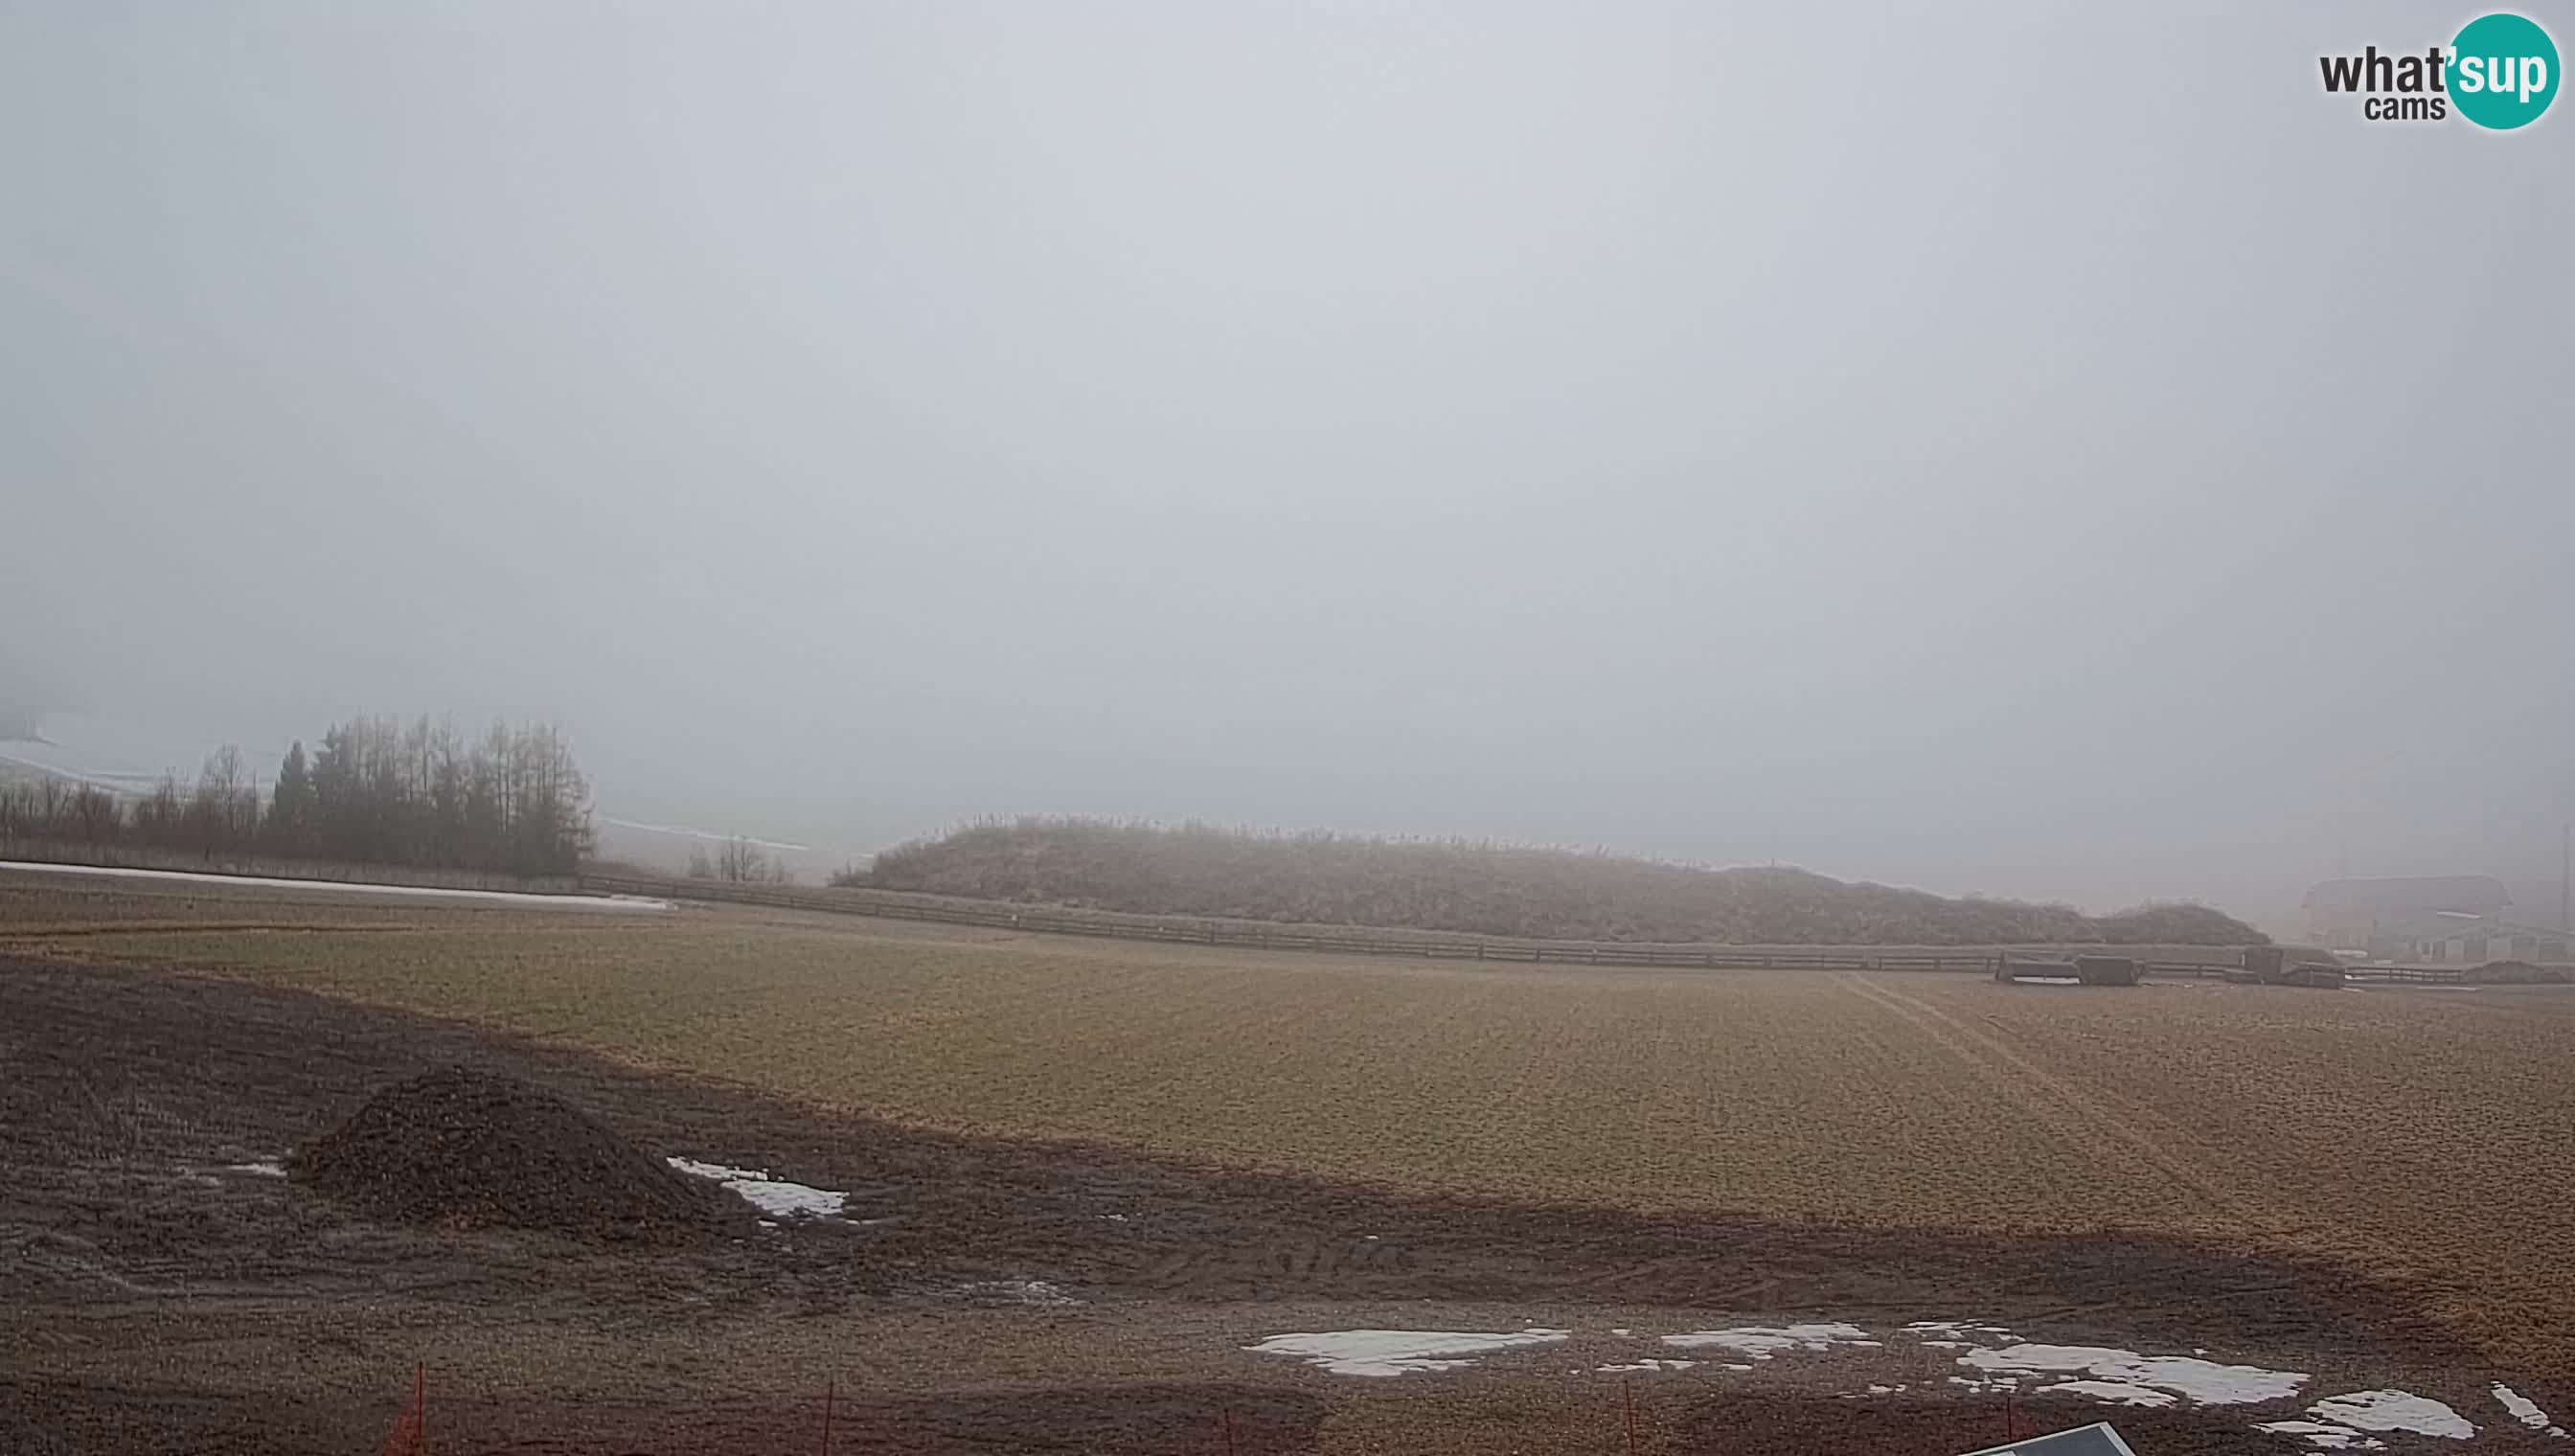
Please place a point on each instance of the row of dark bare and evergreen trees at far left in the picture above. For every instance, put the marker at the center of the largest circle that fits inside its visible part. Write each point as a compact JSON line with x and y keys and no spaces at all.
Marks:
{"x":375,"y":792}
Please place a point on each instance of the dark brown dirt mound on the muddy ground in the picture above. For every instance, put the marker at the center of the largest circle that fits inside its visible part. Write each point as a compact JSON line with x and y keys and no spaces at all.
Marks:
{"x":473,"y":1151}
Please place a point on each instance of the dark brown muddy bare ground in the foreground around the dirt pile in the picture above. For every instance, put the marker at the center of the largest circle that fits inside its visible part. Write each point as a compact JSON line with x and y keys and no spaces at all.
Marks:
{"x":158,"y":1298}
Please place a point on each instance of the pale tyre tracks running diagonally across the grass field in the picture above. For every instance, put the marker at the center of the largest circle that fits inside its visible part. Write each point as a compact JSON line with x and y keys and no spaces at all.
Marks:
{"x":2087,"y":1117}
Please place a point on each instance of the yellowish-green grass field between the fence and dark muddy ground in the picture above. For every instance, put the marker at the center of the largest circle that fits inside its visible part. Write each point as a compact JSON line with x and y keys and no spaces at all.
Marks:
{"x":2417,"y":1133}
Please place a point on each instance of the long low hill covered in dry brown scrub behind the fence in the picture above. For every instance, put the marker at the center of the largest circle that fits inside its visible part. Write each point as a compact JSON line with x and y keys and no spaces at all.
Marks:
{"x":1484,"y":890}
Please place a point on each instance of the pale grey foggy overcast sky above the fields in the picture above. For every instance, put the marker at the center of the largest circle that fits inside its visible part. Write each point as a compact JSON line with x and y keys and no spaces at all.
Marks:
{"x":1979,"y":447}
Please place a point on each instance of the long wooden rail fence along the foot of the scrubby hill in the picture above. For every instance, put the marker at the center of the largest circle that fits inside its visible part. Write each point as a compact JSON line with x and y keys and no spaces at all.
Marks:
{"x":1361,"y":942}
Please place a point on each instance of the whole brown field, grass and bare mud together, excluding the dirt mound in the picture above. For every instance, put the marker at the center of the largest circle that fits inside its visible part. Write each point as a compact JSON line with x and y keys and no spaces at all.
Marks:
{"x":2368,"y":1184}
